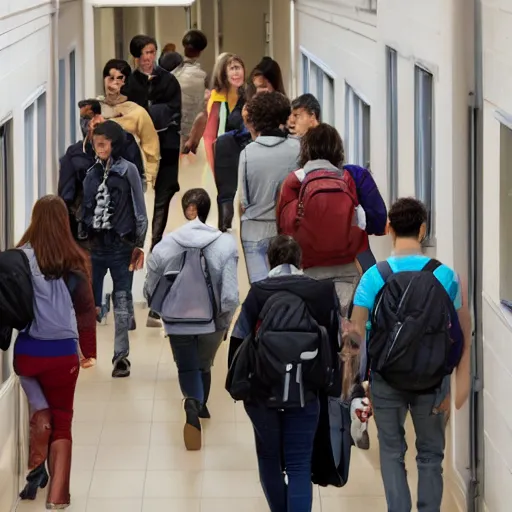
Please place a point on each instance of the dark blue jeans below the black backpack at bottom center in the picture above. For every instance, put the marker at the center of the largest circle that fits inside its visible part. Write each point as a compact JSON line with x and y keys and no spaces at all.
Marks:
{"x":284,"y":443}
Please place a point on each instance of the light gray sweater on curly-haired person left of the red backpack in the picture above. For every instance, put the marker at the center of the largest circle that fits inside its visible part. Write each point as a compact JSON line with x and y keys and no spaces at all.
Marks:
{"x":264,"y":165}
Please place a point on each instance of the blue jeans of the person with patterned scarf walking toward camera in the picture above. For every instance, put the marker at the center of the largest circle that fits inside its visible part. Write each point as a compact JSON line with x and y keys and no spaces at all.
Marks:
{"x":115,"y":257}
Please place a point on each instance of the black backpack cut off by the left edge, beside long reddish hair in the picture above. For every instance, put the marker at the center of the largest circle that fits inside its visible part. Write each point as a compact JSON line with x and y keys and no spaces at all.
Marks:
{"x":16,"y":294}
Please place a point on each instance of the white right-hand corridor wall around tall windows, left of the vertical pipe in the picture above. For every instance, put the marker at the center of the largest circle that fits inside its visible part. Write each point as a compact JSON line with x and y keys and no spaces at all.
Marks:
{"x":351,"y":43}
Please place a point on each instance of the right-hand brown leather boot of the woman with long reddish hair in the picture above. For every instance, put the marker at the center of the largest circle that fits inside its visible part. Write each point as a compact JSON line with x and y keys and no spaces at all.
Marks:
{"x":59,"y":463}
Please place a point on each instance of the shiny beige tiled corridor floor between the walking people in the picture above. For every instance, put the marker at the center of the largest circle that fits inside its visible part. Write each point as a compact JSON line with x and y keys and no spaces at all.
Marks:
{"x":128,"y":448}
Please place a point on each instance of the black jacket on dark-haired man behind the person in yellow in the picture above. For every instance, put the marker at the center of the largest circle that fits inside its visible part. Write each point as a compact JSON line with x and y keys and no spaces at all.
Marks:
{"x":161,"y":97}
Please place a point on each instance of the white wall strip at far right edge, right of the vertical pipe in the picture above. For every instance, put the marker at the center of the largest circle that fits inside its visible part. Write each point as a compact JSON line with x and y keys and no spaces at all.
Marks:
{"x":497,"y":329}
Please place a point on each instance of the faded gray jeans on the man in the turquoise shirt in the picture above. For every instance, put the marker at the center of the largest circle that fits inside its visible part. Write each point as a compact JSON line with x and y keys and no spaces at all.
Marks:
{"x":390,"y":410}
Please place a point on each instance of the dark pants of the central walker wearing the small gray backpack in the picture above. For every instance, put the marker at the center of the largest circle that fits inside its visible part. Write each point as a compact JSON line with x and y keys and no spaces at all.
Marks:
{"x":194,"y":355}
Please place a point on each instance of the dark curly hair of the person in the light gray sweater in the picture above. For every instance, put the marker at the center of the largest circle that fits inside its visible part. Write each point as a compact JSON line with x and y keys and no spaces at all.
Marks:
{"x":268,"y":111}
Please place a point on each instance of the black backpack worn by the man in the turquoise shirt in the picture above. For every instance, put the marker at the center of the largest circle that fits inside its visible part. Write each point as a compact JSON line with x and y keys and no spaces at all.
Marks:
{"x":414,"y":343}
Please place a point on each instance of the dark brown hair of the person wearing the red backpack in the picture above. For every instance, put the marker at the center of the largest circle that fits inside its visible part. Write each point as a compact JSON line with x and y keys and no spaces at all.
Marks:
{"x":322,"y":143}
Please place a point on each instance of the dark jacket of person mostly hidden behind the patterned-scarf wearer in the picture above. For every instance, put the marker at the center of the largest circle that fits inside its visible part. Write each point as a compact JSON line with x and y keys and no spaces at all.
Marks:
{"x":78,"y":159}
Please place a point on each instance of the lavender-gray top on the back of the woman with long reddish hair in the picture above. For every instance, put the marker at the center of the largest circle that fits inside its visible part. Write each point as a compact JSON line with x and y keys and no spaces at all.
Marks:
{"x":54,"y":313}
